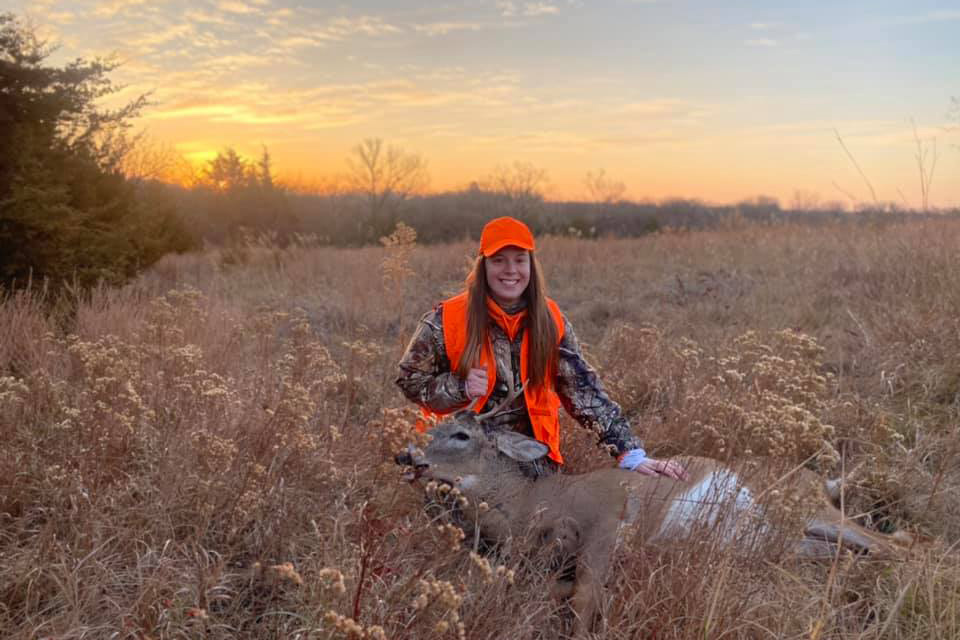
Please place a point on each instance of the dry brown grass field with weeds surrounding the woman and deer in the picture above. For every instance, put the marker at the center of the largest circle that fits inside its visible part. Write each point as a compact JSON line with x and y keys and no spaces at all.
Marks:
{"x":207,"y":452}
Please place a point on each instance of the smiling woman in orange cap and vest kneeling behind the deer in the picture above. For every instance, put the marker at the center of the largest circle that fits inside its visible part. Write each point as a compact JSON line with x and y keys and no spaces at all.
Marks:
{"x":503,"y":334}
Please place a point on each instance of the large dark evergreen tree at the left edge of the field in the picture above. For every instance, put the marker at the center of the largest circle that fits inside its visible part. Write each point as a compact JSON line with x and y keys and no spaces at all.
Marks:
{"x":67,"y":214}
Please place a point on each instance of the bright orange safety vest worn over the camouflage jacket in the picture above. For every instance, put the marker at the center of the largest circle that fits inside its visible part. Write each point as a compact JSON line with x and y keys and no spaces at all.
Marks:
{"x":543,"y":403}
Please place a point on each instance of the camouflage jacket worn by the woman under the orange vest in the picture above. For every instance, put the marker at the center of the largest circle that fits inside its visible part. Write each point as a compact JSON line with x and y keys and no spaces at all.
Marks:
{"x":426,"y":379}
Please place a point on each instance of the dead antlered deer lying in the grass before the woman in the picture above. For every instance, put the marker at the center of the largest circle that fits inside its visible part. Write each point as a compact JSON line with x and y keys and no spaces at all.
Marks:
{"x":580,"y":518}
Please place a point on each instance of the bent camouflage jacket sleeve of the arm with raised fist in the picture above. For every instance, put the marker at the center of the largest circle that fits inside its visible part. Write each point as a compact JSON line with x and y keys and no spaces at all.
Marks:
{"x":425,"y":376}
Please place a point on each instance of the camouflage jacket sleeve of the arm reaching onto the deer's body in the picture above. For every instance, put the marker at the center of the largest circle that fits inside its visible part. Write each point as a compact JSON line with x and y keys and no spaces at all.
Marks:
{"x":584,"y":398}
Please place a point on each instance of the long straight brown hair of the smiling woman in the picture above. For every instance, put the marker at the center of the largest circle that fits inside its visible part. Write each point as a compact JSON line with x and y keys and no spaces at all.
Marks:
{"x":542,"y":332}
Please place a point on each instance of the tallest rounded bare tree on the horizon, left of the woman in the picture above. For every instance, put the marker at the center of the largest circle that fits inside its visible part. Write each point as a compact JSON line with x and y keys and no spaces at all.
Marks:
{"x":386,"y":176}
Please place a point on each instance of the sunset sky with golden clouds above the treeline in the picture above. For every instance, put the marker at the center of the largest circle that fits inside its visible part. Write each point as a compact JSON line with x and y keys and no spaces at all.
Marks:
{"x":719,"y":101}
